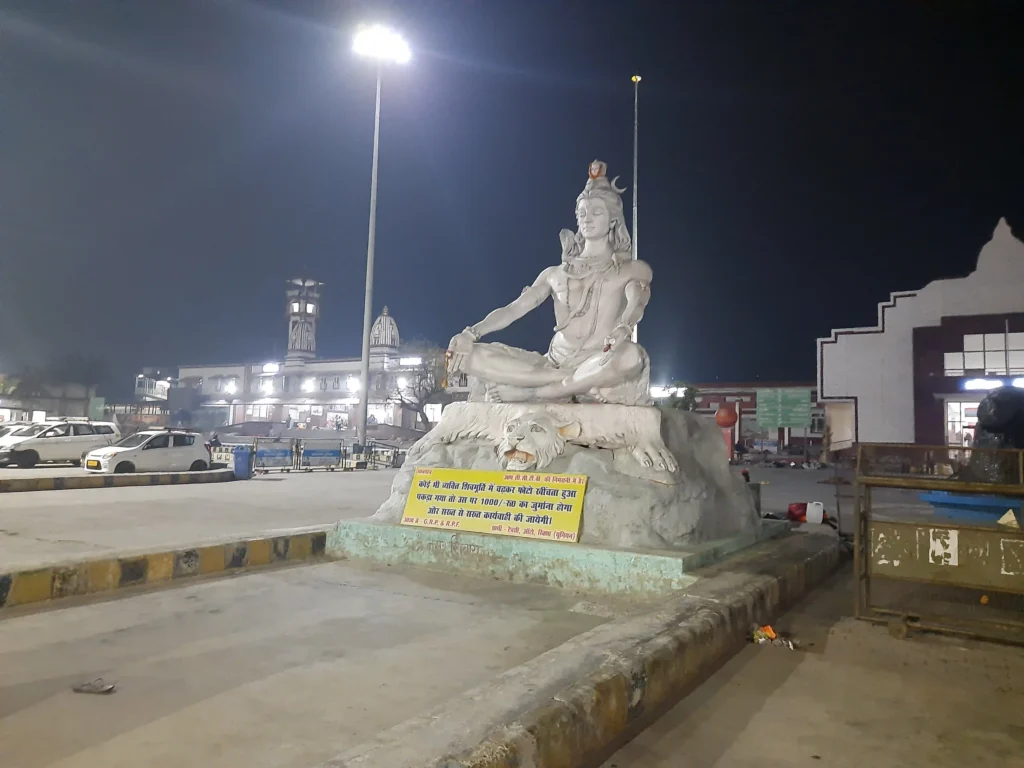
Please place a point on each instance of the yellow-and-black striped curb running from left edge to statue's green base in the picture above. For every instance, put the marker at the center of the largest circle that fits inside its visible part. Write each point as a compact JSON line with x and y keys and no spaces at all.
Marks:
{"x":110,"y":574}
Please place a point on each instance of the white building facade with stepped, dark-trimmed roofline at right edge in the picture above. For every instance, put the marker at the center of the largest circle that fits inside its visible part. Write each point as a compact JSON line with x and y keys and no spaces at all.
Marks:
{"x":918,"y":376}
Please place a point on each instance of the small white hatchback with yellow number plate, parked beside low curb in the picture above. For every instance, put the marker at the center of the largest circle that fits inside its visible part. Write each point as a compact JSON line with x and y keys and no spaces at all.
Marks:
{"x":152,"y":451}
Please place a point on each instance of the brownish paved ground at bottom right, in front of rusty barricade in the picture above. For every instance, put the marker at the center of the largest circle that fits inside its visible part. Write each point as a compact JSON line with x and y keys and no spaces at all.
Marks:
{"x":856,"y":698}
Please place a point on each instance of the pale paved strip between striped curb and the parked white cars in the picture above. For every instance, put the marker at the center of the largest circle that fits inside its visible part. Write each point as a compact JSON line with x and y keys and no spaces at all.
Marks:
{"x":48,"y":527}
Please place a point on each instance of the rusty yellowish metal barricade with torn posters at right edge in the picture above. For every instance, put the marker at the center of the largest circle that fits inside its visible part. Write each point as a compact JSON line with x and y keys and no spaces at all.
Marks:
{"x":929,"y":551}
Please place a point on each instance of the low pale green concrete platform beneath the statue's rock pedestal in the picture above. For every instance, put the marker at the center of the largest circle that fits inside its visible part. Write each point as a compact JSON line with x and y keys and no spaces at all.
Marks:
{"x":576,"y":567}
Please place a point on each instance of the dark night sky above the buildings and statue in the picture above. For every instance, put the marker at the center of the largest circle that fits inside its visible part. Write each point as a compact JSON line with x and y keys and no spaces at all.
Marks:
{"x":167,"y":165}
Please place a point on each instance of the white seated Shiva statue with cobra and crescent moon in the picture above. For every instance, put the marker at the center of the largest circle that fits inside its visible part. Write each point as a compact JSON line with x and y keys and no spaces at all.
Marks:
{"x":600,"y":292}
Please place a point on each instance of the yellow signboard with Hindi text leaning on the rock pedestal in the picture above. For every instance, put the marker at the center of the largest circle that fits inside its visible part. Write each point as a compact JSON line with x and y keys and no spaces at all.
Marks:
{"x":535,"y":505}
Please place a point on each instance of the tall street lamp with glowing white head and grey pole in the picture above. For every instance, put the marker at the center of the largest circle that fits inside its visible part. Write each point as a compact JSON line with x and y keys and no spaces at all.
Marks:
{"x":387,"y":47}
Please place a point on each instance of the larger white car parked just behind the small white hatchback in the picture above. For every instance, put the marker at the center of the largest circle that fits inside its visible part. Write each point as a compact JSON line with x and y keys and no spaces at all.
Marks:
{"x":56,"y":442}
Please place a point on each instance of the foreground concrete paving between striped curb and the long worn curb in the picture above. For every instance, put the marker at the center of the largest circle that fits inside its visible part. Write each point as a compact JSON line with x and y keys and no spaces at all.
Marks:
{"x":283,"y":668}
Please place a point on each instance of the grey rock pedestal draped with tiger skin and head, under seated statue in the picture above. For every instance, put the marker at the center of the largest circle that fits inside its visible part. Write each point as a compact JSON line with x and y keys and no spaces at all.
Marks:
{"x":657,"y":479}
